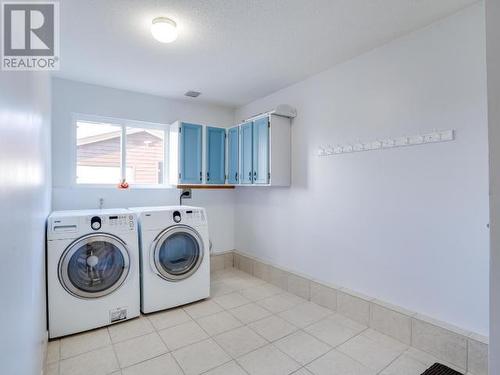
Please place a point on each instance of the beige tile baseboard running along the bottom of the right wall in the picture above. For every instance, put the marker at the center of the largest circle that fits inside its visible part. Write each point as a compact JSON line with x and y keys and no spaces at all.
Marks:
{"x":361,"y":308}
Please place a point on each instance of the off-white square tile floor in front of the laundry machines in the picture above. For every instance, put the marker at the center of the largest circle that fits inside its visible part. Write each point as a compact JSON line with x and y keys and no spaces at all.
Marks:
{"x":247,"y":327}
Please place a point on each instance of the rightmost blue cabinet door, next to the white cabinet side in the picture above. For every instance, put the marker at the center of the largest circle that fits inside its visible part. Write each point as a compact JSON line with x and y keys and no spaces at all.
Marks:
{"x":261,"y":151}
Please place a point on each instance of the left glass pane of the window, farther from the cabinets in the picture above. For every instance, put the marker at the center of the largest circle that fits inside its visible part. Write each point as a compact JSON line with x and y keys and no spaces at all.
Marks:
{"x":98,"y":153}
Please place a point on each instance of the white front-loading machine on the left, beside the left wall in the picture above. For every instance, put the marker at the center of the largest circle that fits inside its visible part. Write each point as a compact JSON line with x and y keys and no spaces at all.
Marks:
{"x":92,"y":269}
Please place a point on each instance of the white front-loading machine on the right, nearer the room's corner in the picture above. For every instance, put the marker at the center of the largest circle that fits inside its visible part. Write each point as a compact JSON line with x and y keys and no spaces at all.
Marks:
{"x":175,"y":259}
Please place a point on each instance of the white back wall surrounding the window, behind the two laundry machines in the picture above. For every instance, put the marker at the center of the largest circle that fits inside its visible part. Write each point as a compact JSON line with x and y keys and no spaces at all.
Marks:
{"x":74,"y":97}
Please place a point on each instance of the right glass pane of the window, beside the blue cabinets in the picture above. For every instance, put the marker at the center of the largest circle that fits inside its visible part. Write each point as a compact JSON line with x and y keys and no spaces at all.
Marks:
{"x":145,"y":154}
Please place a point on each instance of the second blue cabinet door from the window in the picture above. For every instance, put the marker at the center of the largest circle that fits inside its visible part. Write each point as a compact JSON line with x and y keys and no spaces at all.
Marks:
{"x":216,"y":150}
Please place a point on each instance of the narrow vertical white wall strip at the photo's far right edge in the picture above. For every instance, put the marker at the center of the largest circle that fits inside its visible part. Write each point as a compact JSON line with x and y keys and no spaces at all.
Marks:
{"x":493,"y":64}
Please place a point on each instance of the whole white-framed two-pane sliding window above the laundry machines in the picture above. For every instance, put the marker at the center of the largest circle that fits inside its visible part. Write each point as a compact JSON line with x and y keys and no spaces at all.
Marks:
{"x":108,"y":151}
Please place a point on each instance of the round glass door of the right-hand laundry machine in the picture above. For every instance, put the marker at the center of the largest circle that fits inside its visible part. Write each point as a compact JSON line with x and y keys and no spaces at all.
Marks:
{"x":178,"y":253}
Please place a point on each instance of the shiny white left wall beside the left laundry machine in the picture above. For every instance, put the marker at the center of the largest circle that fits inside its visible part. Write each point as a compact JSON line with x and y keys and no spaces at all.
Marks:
{"x":24,"y":203}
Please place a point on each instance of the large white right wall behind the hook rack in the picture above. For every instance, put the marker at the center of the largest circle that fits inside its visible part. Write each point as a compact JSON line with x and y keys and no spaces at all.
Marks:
{"x":409,"y":225}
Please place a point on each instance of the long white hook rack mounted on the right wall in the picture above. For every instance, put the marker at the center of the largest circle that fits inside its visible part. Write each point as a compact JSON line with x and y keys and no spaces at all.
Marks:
{"x":380,"y":144}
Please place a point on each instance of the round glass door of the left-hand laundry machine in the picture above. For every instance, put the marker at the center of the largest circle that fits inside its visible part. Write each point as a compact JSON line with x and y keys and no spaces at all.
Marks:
{"x":94,"y":266}
